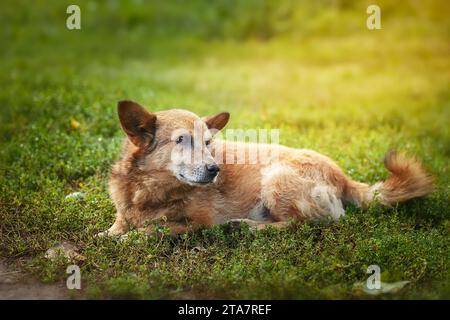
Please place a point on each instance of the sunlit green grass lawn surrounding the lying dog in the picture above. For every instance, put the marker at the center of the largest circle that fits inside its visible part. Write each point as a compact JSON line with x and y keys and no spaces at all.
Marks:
{"x":316,"y":73}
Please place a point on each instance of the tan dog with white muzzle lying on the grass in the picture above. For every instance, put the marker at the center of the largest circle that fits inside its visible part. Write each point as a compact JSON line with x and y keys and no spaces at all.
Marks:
{"x":158,"y":182}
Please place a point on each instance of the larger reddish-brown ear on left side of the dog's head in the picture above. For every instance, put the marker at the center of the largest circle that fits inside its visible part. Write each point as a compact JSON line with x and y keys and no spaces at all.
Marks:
{"x":138,"y":123}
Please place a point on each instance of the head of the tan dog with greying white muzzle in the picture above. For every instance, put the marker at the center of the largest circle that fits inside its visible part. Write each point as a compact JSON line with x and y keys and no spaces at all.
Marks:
{"x":174,"y":140}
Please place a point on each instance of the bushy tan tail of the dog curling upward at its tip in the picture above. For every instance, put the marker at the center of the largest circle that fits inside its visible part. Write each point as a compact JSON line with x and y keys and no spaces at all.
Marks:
{"x":408,"y":180}
